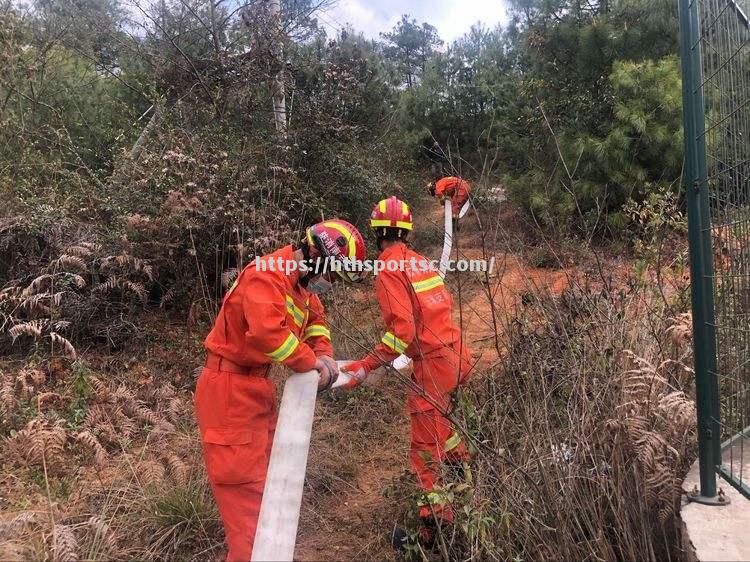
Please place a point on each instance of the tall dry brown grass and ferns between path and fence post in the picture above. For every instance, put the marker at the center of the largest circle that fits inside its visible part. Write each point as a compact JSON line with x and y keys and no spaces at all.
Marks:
{"x":581,"y":444}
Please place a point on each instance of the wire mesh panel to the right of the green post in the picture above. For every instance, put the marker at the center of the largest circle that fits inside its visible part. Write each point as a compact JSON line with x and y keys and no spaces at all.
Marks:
{"x":723,"y":78}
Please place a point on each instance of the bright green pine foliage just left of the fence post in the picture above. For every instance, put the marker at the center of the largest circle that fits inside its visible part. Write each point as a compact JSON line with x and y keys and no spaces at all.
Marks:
{"x":637,"y":151}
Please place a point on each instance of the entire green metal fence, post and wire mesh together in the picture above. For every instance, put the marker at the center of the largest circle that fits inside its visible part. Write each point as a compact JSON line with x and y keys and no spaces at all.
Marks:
{"x":715,"y":45}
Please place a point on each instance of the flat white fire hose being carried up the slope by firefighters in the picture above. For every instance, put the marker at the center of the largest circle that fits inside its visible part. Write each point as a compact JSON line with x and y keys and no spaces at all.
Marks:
{"x":276,"y":534}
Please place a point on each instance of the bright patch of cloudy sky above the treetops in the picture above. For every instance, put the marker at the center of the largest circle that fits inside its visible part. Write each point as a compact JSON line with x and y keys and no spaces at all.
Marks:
{"x":452,"y":18}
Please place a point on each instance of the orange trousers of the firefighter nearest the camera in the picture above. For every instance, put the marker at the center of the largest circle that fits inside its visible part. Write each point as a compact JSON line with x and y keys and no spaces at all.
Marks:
{"x":237,"y":418}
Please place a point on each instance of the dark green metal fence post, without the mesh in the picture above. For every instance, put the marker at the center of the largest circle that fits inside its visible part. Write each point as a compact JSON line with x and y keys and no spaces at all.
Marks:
{"x":701,"y":259}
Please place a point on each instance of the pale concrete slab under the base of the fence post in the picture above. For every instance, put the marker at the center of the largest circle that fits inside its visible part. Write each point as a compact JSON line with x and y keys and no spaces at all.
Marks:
{"x":719,"y":533}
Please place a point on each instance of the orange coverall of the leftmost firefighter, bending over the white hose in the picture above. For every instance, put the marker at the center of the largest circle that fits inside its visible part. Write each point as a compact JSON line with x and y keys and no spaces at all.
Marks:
{"x":266,"y":317}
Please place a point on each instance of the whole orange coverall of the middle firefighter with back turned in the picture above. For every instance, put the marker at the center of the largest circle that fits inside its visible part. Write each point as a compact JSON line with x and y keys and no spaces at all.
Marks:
{"x":416,"y":308}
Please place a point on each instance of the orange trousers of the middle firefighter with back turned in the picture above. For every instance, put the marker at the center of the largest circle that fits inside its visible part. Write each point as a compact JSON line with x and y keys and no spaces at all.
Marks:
{"x":433,"y":440}
